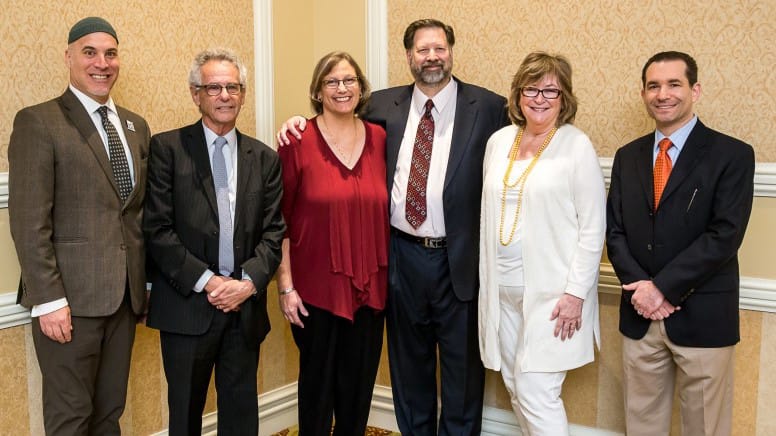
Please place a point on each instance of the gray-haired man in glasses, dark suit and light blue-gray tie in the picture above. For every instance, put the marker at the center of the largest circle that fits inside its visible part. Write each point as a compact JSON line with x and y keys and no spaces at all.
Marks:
{"x":214,"y":229}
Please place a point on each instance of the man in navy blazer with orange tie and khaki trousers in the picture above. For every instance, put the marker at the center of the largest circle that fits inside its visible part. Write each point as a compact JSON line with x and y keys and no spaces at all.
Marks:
{"x":676,"y":255}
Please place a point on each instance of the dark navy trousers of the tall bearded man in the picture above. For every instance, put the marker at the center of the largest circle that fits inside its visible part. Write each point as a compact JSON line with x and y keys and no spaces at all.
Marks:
{"x":426,"y":319}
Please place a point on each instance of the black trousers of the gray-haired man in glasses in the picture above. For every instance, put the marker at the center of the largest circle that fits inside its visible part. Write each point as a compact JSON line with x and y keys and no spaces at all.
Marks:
{"x":188,"y":363}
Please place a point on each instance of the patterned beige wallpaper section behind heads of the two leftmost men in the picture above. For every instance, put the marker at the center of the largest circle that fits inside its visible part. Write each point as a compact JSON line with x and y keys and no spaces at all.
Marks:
{"x":157,"y":42}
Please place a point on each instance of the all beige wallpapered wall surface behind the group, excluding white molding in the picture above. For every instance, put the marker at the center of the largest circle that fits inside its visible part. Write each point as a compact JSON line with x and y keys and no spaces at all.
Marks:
{"x":607,"y":54}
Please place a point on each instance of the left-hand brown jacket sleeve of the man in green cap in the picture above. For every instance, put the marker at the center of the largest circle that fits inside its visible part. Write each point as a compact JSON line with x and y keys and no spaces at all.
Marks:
{"x":31,"y":181}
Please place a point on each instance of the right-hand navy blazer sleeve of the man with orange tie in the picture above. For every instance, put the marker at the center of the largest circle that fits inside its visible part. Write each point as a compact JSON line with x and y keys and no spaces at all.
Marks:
{"x":719,"y":243}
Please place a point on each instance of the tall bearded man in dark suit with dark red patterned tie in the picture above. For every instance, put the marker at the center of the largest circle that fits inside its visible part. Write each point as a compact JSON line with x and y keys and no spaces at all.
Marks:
{"x":435,"y":186}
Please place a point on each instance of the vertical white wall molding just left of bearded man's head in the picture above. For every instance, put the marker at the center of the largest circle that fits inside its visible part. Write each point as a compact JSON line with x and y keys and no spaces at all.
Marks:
{"x":377,"y":43}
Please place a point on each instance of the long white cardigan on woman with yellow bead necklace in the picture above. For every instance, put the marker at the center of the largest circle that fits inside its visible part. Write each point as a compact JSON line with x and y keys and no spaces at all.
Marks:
{"x":564,"y":220}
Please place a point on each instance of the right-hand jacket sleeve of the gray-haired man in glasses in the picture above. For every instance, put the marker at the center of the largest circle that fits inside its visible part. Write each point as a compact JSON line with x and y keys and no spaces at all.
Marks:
{"x":261,"y":267}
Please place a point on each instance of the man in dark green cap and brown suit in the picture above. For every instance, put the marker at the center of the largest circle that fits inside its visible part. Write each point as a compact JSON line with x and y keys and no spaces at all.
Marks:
{"x":77,"y":173}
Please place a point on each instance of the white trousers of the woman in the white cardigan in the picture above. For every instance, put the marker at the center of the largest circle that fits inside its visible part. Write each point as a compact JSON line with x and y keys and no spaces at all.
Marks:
{"x":535,"y":396}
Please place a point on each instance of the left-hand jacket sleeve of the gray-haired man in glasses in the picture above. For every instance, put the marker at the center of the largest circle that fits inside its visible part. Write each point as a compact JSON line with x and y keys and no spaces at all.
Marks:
{"x":165,"y":247}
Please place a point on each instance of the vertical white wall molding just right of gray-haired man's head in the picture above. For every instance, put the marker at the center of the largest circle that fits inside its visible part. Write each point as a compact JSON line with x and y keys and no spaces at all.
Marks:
{"x":263,"y":68}
